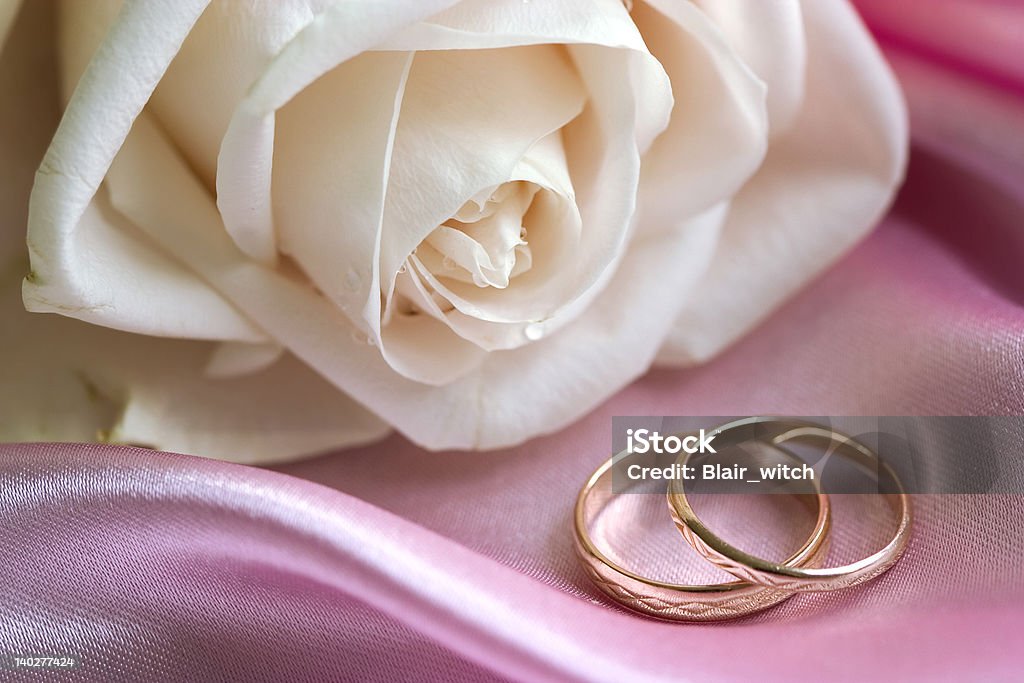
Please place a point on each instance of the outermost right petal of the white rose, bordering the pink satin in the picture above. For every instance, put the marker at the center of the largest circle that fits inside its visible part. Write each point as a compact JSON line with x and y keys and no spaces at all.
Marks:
{"x":824,"y":185}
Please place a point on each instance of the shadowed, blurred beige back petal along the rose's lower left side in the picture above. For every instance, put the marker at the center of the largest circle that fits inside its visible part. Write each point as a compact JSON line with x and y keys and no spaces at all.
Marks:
{"x":67,"y":380}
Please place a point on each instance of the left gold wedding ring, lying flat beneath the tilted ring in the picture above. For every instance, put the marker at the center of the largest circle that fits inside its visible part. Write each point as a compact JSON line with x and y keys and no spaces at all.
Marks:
{"x":679,"y":603}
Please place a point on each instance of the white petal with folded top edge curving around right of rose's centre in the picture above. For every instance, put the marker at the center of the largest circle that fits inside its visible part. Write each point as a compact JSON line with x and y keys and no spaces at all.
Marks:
{"x":605,"y":162}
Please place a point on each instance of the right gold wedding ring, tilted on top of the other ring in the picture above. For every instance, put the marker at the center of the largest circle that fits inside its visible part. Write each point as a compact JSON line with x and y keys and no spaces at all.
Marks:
{"x":756,"y":570}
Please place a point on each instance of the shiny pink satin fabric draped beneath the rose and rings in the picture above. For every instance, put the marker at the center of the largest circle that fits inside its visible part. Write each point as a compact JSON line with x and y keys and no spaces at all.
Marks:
{"x":392,"y":564}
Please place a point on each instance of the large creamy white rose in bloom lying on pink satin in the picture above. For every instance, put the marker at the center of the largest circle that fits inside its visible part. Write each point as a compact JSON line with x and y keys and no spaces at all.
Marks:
{"x":475,"y":220}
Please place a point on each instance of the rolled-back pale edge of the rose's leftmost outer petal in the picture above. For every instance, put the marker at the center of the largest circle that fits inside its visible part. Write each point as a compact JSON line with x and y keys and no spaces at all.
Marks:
{"x":102,"y":113}
